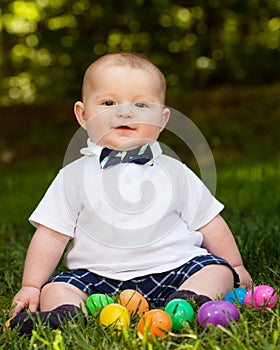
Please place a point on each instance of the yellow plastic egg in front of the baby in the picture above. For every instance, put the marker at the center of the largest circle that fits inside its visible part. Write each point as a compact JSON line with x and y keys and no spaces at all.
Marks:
{"x":115,"y":316}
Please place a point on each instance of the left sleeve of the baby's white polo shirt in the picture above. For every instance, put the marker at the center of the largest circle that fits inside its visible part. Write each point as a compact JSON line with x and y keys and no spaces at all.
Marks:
{"x":53,"y":211}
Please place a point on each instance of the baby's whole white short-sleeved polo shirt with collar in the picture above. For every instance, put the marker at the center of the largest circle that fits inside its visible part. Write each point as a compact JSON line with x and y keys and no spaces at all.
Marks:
{"x":128,"y":220}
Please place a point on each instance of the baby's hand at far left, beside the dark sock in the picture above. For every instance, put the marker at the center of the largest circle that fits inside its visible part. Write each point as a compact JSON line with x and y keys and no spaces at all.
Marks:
{"x":26,"y":297}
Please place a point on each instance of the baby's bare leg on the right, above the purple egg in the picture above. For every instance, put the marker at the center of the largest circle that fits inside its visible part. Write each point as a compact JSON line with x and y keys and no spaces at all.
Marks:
{"x":212,"y":281}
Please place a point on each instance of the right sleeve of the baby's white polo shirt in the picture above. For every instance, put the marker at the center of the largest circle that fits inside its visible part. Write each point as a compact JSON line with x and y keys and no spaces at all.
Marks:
{"x":201,"y":206}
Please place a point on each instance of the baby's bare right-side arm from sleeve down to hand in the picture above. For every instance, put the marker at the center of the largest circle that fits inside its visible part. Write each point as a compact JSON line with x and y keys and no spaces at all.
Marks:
{"x":218,"y":240}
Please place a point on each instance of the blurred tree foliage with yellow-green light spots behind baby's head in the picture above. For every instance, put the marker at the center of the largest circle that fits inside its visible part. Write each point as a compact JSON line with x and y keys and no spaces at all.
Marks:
{"x":45,"y":45}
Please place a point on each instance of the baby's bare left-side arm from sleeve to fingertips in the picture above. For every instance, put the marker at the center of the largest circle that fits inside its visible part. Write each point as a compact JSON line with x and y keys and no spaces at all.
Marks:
{"x":43,"y":255}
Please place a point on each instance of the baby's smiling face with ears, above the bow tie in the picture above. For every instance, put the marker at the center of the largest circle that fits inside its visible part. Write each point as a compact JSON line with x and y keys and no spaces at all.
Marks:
{"x":122,"y":107}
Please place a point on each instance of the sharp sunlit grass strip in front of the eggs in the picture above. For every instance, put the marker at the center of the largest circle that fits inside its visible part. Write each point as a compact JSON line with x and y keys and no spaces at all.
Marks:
{"x":253,"y":331}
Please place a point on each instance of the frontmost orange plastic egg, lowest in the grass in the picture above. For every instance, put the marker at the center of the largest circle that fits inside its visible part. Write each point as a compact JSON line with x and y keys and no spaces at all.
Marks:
{"x":155,"y":323}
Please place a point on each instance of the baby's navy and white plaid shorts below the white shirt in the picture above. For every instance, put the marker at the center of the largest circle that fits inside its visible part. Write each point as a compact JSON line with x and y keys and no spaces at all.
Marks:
{"x":155,"y":287}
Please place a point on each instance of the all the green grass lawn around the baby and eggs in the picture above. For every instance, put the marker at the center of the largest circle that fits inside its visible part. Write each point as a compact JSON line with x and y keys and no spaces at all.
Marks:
{"x":250,"y":195}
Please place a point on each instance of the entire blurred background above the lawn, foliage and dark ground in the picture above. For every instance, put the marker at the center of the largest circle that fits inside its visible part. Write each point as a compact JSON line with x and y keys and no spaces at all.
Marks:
{"x":221,"y":60}
